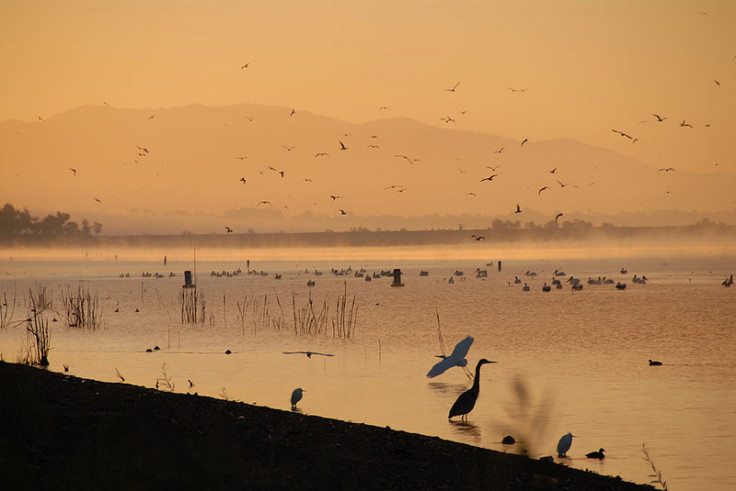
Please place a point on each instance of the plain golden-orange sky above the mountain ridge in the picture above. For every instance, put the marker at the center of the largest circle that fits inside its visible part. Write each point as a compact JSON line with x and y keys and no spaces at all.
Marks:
{"x":587,"y":66}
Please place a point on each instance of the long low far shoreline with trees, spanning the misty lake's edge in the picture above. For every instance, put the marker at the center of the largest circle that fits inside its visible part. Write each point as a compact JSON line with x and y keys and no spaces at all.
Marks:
{"x":19,"y":227}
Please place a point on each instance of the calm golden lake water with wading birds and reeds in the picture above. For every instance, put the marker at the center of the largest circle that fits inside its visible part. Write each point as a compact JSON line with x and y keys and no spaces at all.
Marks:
{"x":568,"y":361}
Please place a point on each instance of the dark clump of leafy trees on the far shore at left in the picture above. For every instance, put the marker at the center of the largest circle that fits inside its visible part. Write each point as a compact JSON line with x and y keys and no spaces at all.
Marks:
{"x":19,"y":223}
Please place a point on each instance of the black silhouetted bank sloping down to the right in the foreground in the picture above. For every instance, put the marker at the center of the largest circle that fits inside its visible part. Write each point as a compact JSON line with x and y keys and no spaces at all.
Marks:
{"x":62,"y":432}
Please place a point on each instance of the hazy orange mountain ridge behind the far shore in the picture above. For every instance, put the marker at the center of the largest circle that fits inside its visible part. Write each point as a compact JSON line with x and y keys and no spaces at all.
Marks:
{"x":170,"y":170}
